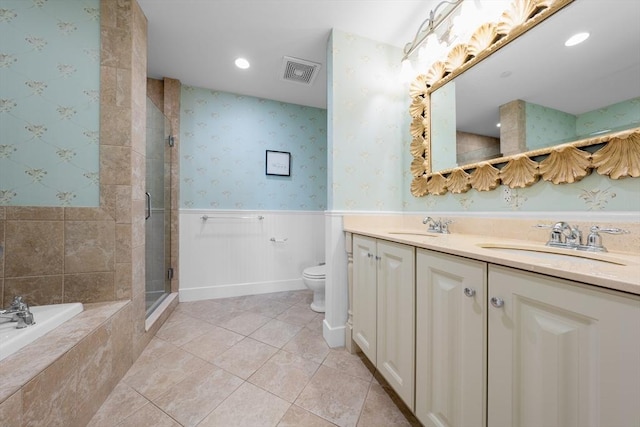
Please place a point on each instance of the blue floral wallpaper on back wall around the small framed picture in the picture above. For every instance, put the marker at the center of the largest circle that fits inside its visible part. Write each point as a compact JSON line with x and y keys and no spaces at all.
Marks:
{"x":224,"y":139}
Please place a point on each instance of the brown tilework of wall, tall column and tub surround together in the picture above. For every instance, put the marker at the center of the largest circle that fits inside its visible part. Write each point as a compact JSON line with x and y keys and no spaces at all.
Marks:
{"x":89,"y":254}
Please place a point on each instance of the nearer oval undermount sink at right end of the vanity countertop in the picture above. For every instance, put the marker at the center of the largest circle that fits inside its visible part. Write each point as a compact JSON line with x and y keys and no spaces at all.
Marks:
{"x":551,"y":253}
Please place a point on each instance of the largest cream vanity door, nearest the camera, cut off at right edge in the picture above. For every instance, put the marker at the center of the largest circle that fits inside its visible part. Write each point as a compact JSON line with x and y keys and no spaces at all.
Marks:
{"x":561,"y":354}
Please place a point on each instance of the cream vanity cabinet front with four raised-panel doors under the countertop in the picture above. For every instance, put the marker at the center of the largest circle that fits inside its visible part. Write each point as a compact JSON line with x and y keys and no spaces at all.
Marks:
{"x":494,"y":346}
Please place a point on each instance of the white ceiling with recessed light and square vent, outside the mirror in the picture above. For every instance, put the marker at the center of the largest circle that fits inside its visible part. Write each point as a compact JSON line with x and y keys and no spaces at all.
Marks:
{"x":196,"y":41}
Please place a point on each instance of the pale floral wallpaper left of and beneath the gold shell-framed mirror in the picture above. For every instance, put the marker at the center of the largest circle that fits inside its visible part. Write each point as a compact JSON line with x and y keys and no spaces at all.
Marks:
{"x":369,"y":142}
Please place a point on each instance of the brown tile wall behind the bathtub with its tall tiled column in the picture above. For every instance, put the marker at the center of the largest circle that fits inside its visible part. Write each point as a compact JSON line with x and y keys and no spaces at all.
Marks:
{"x":65,"y":254}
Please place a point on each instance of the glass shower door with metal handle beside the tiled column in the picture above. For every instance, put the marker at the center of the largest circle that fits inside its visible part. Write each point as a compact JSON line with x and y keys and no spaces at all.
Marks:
{"x":158,"y":208}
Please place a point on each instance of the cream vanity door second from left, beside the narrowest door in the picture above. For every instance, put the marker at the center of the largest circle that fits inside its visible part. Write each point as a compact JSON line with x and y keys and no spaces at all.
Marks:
{"x":396,"y":320}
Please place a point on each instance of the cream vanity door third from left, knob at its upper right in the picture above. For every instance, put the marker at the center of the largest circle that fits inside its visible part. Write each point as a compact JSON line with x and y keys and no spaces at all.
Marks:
{"x":450,"y":340}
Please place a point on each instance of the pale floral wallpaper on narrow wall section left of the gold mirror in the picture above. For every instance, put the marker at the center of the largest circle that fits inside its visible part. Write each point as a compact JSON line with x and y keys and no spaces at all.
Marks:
{"x":368,"y":122}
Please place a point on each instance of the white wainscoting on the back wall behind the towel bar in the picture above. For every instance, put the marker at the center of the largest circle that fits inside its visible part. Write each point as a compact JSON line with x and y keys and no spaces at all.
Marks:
{"x":231,"y":253}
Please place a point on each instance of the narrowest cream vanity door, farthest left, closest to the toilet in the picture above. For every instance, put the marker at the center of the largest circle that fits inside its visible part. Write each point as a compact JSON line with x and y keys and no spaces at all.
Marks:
{"x":364,"y":303}
